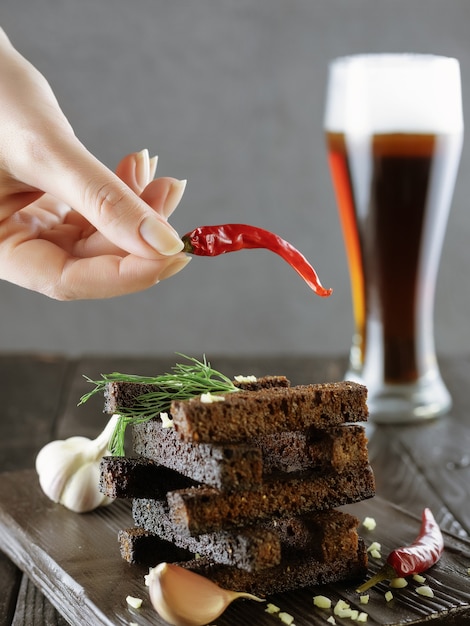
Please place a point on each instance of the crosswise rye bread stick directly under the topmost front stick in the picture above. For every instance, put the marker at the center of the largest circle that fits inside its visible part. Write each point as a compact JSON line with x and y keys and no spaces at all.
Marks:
{"x":228,"y":467}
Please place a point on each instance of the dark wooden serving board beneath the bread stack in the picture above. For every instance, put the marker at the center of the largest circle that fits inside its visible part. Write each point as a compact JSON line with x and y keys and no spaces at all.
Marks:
{"x":75,"y":561}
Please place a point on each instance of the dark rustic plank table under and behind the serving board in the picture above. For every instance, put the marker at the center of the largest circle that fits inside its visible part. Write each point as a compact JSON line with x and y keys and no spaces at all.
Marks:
{"x":415,"y":466}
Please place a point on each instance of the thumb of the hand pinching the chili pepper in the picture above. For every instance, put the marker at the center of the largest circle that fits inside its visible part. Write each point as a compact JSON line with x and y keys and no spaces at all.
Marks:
{"x":72,"y":174}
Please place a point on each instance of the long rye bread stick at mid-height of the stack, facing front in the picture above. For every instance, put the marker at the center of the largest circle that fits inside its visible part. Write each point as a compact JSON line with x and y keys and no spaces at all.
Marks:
{"x":205,"y":509}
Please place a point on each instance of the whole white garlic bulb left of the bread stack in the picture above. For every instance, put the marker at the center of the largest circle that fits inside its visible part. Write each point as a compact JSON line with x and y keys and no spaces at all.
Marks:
{"x":69,"y":470}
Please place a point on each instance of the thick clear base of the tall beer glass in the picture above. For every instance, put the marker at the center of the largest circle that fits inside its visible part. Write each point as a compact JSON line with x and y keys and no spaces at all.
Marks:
{"x":428,"y":398}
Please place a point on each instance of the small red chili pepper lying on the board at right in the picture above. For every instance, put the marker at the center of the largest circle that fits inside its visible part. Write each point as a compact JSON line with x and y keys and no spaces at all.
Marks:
{"x":424,"y":552}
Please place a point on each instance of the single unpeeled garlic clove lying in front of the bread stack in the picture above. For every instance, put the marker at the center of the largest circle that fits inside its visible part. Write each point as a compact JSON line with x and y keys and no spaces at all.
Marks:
{"x":184,"y":598}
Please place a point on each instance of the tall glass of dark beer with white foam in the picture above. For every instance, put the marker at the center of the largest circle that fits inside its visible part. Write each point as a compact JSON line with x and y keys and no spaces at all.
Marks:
{"x":394,"y":132}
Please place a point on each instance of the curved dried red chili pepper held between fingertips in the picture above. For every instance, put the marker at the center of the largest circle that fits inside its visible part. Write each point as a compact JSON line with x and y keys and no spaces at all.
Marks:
{"x":215,"y":240}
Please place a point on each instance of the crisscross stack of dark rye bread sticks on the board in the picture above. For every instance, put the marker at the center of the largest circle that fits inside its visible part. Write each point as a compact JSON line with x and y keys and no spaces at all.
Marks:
{"x":242,"y":488}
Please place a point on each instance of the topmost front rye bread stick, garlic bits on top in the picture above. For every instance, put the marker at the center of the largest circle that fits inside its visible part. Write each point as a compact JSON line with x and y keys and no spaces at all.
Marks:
{"x":244,"y":415}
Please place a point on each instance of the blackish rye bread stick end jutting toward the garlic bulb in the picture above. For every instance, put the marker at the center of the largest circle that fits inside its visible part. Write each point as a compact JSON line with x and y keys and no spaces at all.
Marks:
{"x":129,"y":477}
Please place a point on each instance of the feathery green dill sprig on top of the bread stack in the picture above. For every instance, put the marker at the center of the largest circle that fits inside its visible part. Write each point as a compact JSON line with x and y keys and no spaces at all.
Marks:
{"x":185,"y":381}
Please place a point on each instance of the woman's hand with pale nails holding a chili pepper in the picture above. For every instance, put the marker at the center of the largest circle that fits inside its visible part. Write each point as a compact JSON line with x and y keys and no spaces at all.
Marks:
{"x":69,"y":227}
